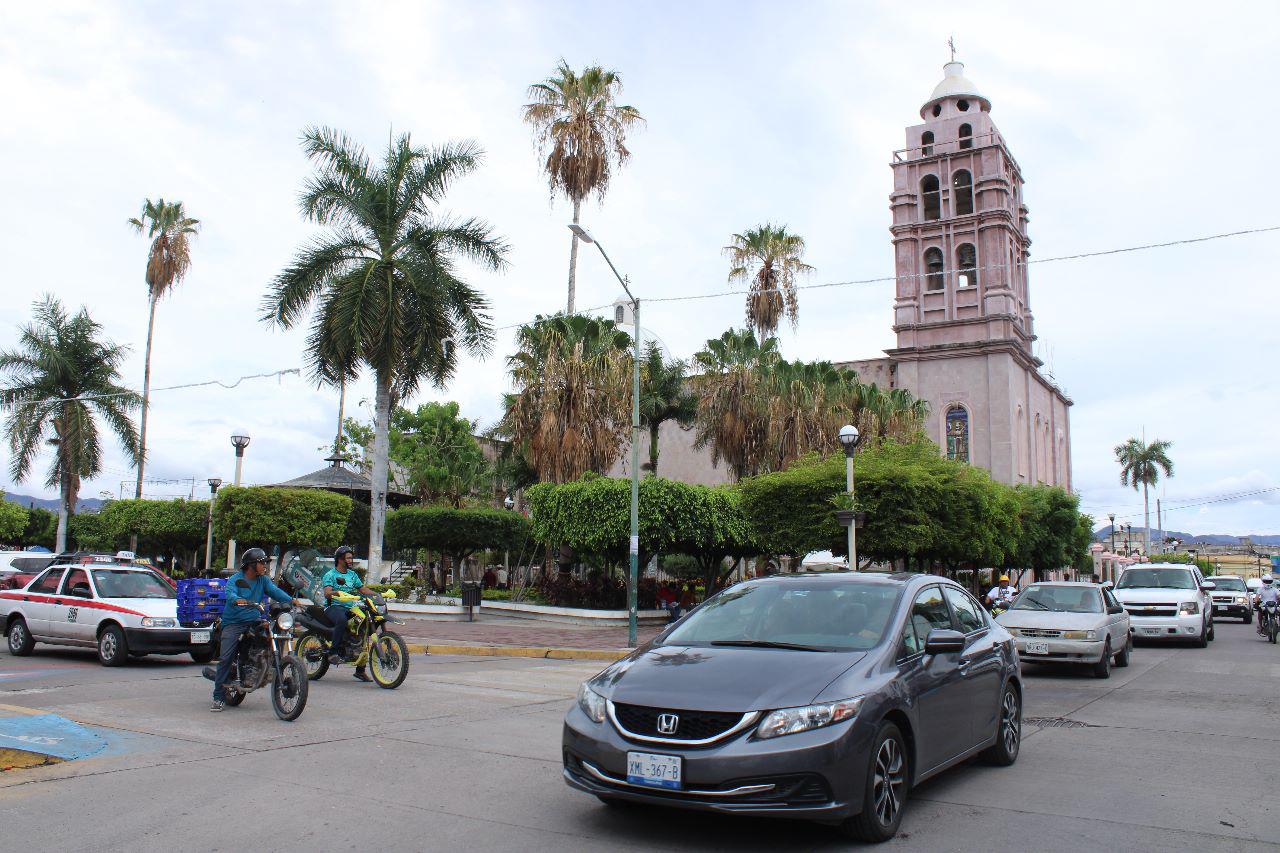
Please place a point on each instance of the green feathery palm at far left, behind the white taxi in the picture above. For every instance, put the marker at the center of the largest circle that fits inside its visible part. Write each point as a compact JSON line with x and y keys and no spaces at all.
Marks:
{"x":58,"y":382}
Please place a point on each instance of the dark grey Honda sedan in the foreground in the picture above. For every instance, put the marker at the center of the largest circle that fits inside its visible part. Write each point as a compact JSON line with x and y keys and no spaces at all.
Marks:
{"x":824,"y":697}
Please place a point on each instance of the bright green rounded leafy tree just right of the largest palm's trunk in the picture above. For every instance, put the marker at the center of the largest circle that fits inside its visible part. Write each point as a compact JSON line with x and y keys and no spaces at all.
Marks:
{"x":438,"y":450}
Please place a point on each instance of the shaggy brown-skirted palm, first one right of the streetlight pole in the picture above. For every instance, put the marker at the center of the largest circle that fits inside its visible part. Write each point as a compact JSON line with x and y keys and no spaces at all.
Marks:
{"x":733,"y":399}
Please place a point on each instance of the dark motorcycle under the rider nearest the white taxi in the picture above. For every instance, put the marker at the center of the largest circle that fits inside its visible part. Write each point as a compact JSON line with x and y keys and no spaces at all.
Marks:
{"x":267,"y":656}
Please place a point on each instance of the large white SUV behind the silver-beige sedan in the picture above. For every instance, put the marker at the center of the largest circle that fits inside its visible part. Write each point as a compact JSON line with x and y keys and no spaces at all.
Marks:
{"x":1168,"y":601}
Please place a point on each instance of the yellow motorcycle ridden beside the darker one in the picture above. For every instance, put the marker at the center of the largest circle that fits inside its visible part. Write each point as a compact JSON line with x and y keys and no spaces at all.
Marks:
{"x":369,"y":642}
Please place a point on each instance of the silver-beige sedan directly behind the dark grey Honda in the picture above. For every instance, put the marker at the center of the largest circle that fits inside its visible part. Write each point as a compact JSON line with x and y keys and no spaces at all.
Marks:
{"x":1069,"y":623}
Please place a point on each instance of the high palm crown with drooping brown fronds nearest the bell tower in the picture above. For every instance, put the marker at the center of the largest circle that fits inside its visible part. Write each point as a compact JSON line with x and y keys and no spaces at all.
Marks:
{"x":769,"y":261}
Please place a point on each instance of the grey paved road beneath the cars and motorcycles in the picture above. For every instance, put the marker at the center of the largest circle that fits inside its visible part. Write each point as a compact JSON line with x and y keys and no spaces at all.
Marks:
{"x":1178,"y":754}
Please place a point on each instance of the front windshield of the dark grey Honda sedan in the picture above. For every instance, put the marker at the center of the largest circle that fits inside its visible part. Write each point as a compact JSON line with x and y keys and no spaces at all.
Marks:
{"x":797,"y":614}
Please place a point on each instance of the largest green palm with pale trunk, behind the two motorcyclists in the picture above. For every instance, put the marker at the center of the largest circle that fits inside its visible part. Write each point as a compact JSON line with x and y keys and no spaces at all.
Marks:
{"x":385,"y":279}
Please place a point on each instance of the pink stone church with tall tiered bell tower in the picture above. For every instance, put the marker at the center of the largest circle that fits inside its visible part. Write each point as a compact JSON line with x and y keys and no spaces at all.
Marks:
{"x":962,"y":309}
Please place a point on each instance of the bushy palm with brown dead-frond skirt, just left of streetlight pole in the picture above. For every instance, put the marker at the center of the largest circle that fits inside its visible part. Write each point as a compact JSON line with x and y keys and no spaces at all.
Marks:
{"x":572,"y":409}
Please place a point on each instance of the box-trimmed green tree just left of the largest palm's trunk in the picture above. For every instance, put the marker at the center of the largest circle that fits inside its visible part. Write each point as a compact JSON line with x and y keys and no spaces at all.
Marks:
{"x":285,"y":519}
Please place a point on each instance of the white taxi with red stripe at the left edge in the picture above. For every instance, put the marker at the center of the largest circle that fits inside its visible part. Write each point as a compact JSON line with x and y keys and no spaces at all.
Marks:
{"x":120,"y":610}
